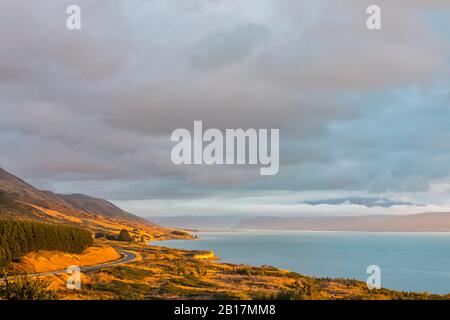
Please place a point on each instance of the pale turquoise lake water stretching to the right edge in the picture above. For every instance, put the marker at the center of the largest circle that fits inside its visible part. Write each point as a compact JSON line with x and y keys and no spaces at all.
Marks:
{"x":408,"y":261}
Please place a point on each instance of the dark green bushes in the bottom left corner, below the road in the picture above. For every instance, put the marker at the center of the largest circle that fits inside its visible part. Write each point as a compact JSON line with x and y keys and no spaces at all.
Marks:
{"x":25,"y":288}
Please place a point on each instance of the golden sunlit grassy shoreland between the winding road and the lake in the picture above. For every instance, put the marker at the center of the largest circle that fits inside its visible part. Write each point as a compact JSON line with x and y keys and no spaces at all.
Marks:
{"x":164,"y":273}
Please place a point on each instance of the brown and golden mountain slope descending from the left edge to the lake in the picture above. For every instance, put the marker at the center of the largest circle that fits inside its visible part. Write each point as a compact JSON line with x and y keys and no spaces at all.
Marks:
{"x":20,"y":199}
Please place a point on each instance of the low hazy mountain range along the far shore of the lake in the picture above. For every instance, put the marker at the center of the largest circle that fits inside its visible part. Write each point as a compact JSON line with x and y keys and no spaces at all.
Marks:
{"x":425,"y":222}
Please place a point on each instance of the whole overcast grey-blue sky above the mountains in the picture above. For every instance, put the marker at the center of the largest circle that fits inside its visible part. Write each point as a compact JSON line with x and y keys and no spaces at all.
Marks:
{"x":362,"y":114}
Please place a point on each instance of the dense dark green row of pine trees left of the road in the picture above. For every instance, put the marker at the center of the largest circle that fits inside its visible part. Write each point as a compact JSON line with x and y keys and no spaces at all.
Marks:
{"x":18,"y":237}
